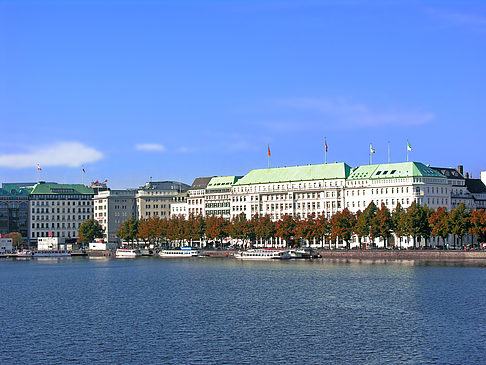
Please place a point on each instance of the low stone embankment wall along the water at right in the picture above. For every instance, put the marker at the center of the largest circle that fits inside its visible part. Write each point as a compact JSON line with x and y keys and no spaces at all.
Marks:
{"x":426,"y":255}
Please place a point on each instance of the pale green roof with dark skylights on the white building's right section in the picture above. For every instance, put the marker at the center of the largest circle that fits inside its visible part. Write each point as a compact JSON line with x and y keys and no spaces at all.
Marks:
{"x":393,"y":170}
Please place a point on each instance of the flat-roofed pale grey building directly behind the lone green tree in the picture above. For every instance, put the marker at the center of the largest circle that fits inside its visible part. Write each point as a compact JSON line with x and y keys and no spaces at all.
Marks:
{"x":112,"y":208}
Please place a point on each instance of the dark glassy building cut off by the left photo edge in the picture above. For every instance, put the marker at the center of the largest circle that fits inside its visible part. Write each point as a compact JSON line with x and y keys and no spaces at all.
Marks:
{"x":14,"y":209}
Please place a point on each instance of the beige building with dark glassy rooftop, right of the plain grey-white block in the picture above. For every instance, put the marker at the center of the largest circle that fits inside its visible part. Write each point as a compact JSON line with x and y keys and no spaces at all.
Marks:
{"x":154,"y":198}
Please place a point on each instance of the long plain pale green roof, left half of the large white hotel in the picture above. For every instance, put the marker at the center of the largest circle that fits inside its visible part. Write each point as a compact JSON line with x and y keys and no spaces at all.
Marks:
{"x":296,"y":173}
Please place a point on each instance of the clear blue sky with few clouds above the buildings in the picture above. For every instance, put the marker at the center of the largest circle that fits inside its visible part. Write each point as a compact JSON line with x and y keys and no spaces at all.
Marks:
{"x":180,"y":89}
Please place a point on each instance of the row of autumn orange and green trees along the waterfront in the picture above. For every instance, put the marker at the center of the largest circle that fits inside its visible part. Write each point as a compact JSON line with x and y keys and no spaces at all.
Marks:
{"x":413,"y":227}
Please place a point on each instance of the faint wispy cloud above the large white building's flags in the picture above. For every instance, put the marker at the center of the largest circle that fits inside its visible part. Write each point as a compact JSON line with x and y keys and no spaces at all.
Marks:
{"x":343,"y":113}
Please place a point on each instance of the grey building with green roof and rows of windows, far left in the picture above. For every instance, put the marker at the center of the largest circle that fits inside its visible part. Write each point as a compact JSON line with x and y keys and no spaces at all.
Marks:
{"x":57,"y":210}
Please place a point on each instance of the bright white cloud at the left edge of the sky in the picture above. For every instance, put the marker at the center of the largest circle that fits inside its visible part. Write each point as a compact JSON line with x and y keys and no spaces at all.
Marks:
{"x":70,"y":154}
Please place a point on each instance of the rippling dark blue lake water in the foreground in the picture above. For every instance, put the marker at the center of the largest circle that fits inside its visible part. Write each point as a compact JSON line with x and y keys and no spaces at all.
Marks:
{"x":205,"y":311}
